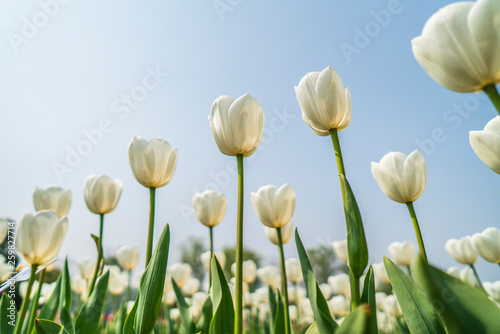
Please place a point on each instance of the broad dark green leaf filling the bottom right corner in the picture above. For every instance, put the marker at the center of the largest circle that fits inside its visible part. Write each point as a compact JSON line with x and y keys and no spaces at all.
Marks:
{"x":463,"y":308}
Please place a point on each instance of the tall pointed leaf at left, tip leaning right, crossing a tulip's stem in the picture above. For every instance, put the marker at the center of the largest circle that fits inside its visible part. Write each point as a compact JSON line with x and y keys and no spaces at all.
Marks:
{"x":151,"y":286}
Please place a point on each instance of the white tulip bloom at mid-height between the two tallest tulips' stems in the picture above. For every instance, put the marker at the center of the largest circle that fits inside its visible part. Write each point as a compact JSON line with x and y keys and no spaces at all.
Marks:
{"x":274,"y":206}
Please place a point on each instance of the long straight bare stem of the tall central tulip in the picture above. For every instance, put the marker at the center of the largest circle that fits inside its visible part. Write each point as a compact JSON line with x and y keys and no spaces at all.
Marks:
{"x":238,"y":323}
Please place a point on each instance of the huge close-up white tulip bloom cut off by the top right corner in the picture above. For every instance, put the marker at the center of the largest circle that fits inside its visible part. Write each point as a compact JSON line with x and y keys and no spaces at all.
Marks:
{"x":458,"y":46}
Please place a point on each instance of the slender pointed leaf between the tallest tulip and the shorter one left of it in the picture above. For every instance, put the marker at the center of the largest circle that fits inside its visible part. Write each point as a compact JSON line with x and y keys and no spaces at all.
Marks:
{"x":324,"y":320}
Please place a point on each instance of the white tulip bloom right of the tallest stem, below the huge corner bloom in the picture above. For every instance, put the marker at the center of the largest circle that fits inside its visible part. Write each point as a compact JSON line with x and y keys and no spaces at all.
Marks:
{"x":402,"y":178}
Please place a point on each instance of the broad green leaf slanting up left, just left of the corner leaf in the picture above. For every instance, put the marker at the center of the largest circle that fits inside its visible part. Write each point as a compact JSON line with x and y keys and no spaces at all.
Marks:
{"x":417,"y":309}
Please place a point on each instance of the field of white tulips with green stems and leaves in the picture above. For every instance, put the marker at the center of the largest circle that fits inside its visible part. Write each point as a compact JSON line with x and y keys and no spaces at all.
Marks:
{"x":459,"y":48}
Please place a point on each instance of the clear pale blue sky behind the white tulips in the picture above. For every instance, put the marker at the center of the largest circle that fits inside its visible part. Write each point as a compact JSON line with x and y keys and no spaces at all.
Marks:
{"x":154,"y":68}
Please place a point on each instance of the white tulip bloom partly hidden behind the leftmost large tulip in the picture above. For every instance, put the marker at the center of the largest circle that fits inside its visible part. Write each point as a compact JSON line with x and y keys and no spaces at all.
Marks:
{"x":52,"y":198}
